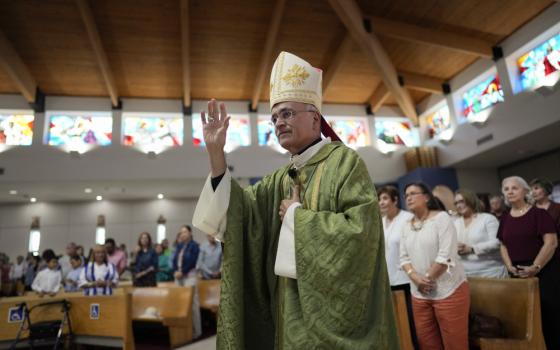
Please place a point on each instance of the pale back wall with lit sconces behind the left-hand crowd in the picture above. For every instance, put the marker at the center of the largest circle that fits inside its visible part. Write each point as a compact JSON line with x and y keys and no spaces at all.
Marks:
{"x":62,"y":223}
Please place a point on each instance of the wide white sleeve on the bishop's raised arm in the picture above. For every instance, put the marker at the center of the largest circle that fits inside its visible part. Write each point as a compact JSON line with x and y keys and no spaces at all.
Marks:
{"x":210,"y":214}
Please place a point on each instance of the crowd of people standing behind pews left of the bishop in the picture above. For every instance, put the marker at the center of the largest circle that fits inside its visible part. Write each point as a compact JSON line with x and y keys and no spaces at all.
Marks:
{"x":107,"y":264}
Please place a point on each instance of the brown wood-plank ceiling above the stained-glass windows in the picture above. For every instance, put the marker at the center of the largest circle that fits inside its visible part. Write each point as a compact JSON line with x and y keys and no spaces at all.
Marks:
{"x":142,"y":42}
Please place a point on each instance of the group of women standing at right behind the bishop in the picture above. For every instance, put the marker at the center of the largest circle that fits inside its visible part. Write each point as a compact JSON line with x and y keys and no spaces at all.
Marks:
{"x":431,"y":250}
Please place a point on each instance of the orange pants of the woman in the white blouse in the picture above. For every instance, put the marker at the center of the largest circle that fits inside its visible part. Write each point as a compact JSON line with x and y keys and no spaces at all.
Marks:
{"x":443,"y":324}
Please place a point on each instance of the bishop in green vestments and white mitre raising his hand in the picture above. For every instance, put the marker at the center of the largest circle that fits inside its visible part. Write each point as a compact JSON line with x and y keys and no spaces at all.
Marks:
{"x":303,"y":264}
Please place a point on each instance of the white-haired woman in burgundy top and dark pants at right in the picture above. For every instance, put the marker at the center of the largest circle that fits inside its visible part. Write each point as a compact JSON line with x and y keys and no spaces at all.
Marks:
{"x":528,"y":246}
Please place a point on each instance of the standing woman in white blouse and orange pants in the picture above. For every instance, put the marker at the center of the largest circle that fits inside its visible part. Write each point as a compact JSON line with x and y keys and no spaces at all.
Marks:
{"x":440,"y":292}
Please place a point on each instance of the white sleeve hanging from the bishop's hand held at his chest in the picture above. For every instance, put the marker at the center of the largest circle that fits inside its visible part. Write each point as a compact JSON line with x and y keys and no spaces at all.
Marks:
{"x":285,"y":264}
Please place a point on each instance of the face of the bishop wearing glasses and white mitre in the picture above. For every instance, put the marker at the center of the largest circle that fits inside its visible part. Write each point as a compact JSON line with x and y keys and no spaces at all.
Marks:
{"x":301,"y":128}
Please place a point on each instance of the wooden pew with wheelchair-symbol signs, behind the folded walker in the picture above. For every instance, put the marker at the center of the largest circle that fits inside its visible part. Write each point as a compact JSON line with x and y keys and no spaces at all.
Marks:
{"x":112,"y":327}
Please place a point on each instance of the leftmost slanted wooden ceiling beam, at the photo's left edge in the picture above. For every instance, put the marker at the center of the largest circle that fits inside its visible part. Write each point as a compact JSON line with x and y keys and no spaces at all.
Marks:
{"x":13,"y":65}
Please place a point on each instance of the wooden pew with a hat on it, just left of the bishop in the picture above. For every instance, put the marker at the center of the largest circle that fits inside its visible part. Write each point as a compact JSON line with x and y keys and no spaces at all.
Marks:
{"x":173,"y":306}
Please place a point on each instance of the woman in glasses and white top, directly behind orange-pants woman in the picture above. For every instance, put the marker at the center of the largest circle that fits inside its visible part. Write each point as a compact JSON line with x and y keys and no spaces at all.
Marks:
{"x":478,"y":247}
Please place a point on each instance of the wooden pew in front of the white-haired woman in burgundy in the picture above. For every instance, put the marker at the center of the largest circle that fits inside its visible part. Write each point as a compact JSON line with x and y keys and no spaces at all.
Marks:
{"x":516,"y":303}
